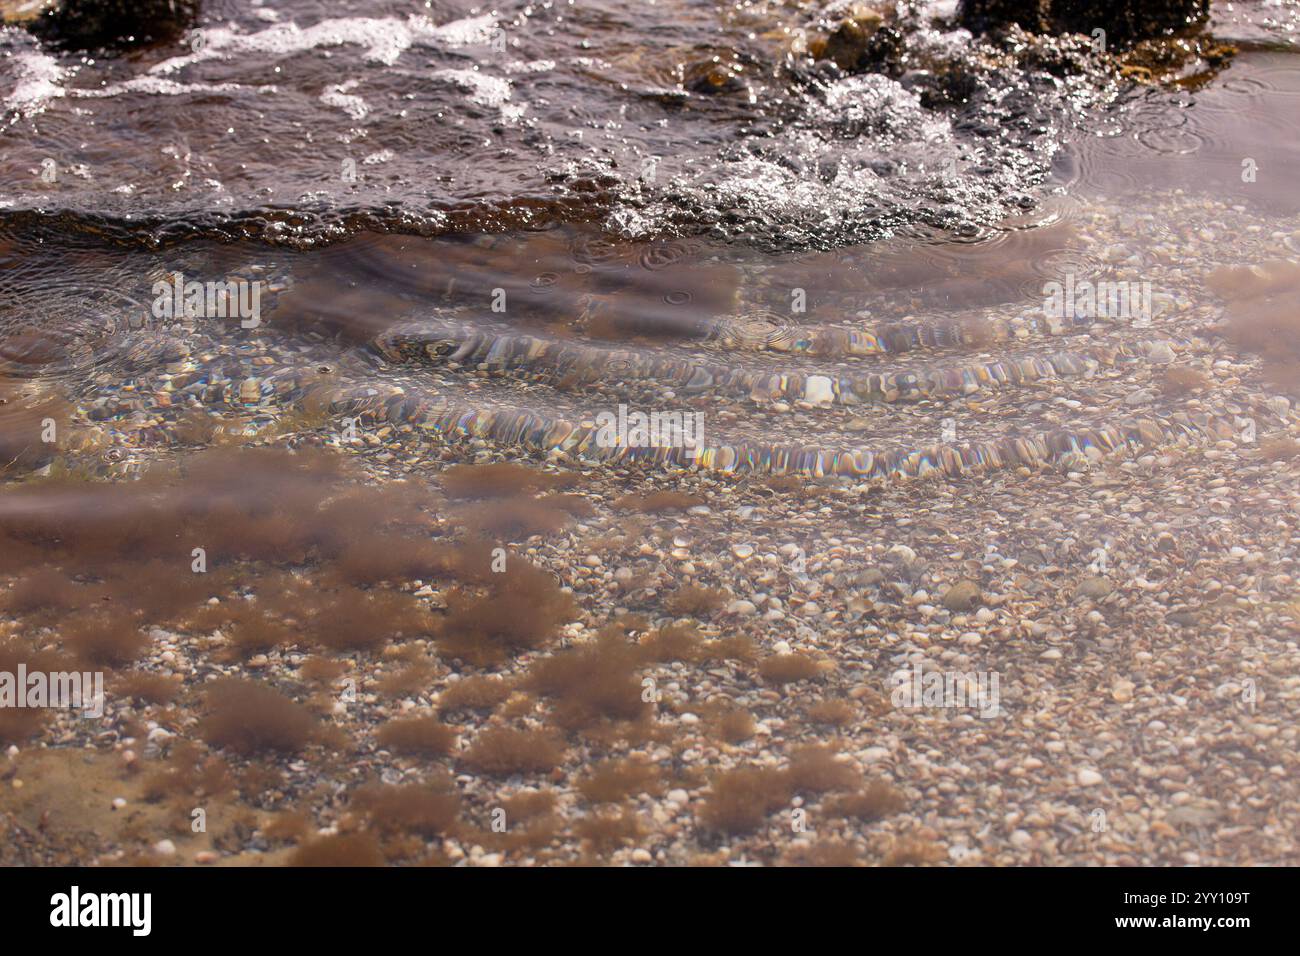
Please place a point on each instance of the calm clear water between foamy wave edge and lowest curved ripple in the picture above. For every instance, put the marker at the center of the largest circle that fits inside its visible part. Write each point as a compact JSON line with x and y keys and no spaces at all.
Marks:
{"x":863,"y":360}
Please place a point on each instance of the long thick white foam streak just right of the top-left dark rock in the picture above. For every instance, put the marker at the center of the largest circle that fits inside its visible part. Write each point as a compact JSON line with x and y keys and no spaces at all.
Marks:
{"x":384,"y":40}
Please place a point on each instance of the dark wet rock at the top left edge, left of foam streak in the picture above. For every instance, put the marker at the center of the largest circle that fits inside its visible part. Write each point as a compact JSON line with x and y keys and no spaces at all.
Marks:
{"x":114,"y":24}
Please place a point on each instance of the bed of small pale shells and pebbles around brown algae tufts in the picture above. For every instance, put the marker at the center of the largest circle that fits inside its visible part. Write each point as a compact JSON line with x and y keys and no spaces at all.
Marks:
{"x":1123,"y":559}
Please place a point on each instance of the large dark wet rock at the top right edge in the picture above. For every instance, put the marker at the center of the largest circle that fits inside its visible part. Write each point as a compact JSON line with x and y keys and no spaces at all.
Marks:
{"x":1124,"y":21}
